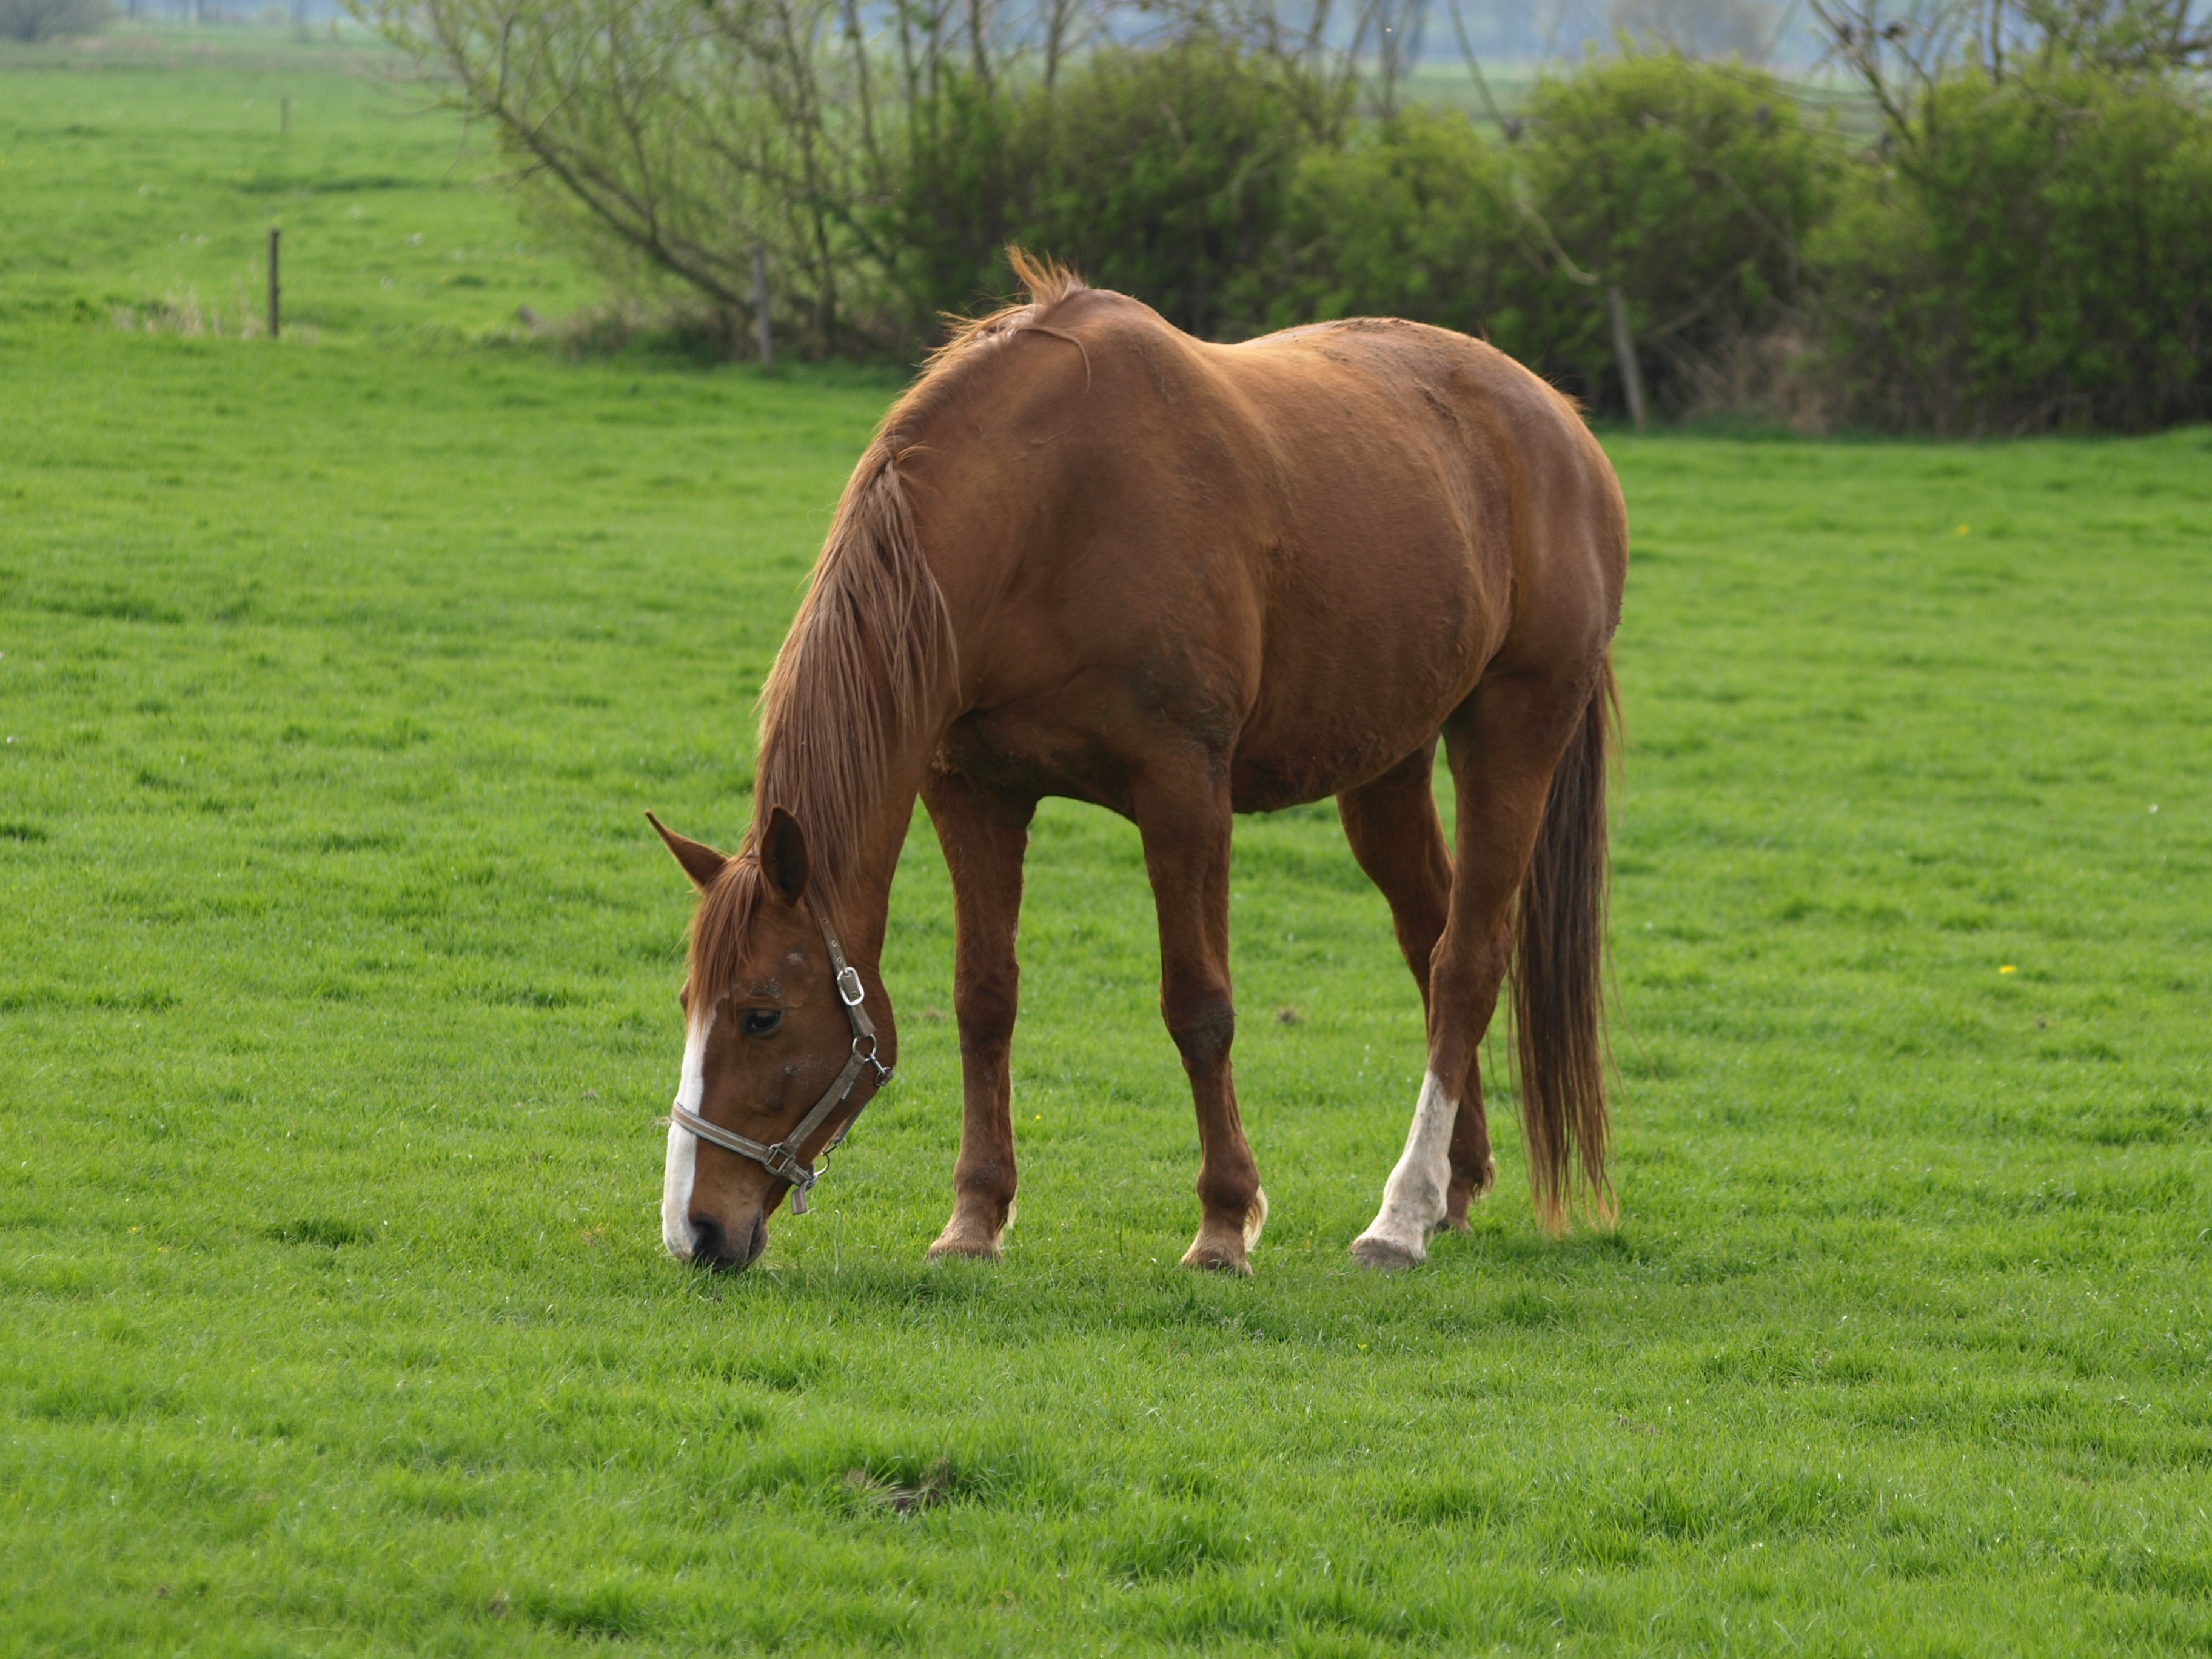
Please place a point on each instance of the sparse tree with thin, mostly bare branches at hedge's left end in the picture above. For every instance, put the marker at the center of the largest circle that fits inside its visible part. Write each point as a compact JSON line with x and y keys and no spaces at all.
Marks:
{"x":676,"y":138}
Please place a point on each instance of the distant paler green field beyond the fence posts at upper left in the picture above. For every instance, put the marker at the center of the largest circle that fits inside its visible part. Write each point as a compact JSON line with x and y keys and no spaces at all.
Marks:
{"x":143,"y":191}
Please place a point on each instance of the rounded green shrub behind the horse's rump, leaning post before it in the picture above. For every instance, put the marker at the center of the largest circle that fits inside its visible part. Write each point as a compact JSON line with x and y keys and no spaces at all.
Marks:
{"x":1691,"y":187}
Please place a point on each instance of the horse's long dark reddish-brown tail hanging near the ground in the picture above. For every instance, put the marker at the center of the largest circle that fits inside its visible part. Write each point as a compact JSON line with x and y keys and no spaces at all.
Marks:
{"x":1558,"y":979}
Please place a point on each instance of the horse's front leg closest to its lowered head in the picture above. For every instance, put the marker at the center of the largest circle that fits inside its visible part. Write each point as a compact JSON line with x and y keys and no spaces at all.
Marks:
{"x":985,"y":837}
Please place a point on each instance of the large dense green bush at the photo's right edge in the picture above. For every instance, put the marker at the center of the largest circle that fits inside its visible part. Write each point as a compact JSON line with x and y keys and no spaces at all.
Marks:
{"x":2038,"y":253}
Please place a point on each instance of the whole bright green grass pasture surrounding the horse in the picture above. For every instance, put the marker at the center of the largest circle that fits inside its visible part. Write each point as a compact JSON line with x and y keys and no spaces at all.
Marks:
{"x":337,"y":1003}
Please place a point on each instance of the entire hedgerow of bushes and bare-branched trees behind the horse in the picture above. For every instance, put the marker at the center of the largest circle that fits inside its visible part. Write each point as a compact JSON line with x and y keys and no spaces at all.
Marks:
{"x":2027,"y":244}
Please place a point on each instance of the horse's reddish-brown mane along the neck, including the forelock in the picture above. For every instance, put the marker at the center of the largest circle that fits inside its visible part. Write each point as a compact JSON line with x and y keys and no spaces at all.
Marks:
{"x":873,"y":640}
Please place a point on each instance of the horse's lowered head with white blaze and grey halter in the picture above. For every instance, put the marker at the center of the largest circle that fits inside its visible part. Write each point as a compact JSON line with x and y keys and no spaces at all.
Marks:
{"x":780,"y":1047}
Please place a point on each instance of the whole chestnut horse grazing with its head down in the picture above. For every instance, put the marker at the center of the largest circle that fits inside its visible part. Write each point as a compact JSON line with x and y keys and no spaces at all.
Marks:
{"x":1092,"y":556}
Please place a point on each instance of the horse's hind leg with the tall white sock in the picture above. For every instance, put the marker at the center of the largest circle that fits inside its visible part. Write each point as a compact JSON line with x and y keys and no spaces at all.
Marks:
{"x":1505,"y":747}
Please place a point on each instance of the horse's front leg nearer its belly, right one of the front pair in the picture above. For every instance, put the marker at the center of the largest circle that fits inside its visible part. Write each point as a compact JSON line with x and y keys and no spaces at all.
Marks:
{"x":1187,"y":853}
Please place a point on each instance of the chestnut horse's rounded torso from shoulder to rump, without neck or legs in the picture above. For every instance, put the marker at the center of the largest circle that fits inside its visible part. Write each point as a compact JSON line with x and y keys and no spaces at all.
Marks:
{"x":1302,"y":552}
